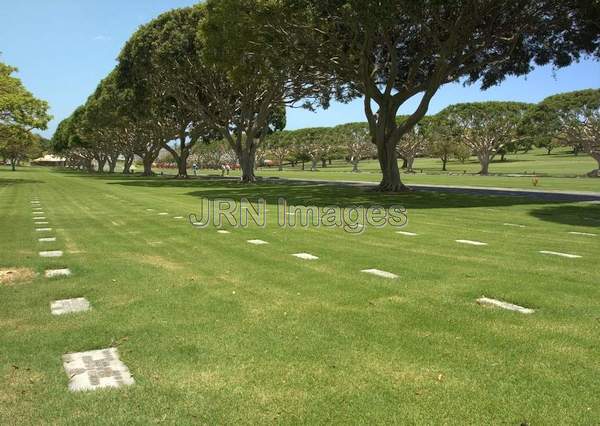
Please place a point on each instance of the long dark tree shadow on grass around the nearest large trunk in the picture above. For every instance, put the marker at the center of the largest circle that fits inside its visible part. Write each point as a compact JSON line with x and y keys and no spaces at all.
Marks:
{"x":326,"y":194}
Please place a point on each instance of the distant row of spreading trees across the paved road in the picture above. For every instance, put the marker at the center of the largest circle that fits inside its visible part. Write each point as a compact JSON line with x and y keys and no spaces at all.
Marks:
{"x":483,"y":129}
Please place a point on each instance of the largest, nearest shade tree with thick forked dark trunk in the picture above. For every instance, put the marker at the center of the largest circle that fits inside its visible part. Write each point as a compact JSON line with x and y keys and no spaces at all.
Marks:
{"x":391,"y":51}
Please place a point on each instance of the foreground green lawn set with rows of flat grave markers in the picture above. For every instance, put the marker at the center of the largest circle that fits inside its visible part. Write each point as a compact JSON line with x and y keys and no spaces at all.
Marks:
{"x":217,"y":331}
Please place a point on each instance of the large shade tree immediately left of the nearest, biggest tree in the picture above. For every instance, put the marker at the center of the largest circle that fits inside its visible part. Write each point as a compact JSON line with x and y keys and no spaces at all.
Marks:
{"x":255,"y":65}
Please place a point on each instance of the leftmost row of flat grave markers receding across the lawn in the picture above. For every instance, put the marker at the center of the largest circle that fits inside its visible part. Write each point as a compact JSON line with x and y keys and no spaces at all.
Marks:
{"x":89,"y":370}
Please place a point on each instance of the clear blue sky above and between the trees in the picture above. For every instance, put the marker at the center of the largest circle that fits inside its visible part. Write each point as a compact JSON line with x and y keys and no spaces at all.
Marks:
{"x":63,"y":48}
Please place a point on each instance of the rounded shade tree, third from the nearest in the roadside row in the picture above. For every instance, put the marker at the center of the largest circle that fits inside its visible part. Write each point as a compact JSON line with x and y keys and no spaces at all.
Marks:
{"x":158,"y":64}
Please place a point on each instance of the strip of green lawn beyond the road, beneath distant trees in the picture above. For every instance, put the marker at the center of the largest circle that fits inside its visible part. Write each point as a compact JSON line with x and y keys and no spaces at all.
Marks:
{"x":559,"y":171}
